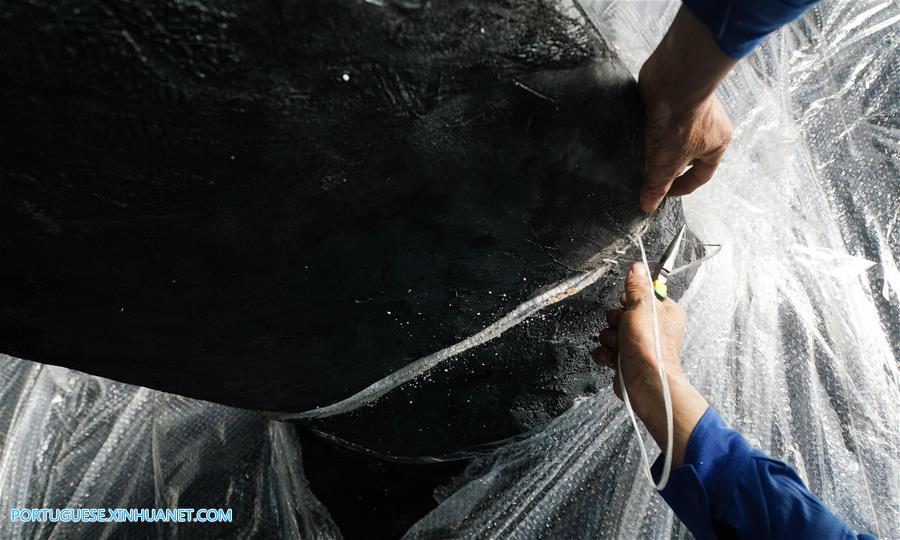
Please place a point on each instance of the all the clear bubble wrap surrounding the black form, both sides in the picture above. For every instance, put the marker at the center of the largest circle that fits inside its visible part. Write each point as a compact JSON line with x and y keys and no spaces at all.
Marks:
{"x":792,"y":335}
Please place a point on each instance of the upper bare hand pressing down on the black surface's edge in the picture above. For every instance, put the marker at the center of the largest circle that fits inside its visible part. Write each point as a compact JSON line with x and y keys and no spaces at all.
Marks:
{"x":685,"y":124}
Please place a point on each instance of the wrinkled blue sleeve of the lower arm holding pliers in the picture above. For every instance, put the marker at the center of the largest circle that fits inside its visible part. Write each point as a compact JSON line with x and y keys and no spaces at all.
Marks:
{"x":728,"y":489}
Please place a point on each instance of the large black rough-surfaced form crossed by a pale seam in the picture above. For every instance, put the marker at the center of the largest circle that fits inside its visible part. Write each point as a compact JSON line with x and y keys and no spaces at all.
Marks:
{"x":274,"y":205}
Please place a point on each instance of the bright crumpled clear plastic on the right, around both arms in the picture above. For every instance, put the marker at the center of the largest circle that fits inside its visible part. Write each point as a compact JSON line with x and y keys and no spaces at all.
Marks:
{"x":793,"y":329}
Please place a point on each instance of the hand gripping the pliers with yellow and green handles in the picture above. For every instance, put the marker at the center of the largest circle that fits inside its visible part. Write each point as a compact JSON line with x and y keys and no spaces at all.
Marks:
{"x":630,"y":334}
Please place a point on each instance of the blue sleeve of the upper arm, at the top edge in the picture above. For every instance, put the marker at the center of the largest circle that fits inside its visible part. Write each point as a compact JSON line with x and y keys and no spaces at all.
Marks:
{"x":739,"y":25}
